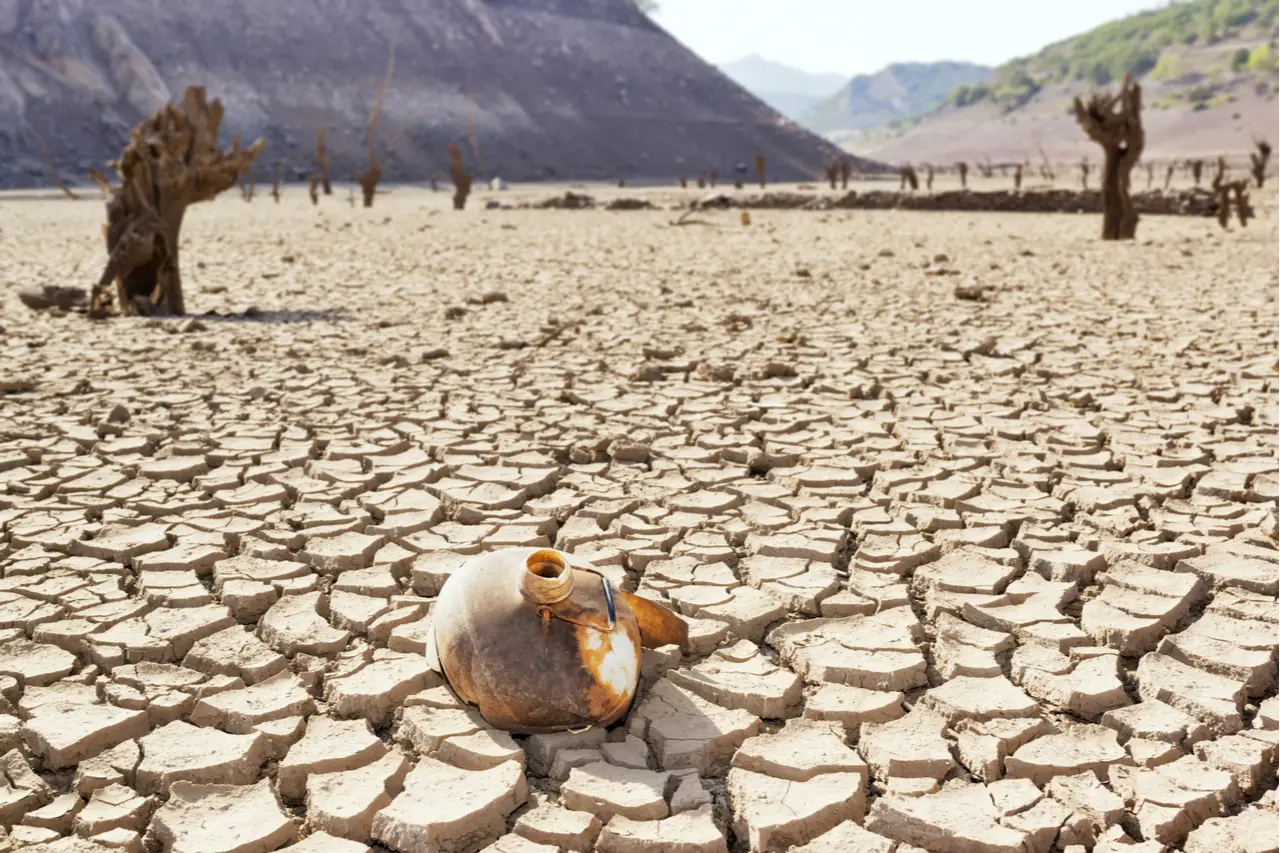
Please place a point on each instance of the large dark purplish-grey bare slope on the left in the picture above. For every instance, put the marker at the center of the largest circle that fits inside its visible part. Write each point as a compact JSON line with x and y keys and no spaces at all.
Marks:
{"x":551,"y":89}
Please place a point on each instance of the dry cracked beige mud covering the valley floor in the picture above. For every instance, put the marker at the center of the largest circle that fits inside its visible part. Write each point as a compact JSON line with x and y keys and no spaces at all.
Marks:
{"x":993,"y":574}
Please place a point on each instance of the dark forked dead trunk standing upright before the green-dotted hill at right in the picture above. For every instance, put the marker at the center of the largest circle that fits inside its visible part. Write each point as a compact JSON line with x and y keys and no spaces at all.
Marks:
{"x":1114,"y":121}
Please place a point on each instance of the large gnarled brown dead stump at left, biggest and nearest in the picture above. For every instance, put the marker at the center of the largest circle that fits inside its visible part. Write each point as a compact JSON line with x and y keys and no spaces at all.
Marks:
{"x":172,"y":162}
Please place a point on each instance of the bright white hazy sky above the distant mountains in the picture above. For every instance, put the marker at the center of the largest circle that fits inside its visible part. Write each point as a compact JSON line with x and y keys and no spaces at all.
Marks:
{"x":857,"y":37}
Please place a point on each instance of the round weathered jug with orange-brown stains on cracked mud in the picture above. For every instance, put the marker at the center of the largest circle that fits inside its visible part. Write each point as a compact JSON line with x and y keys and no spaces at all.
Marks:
{"x":542,"y":642}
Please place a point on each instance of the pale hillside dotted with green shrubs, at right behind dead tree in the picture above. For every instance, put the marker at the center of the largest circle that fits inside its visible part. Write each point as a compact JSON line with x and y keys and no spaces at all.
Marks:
{"x":1209,"y":74}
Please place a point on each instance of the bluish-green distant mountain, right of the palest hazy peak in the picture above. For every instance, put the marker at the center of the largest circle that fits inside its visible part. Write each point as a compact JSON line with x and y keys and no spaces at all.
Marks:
{"x":893,"y":94}
